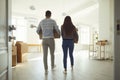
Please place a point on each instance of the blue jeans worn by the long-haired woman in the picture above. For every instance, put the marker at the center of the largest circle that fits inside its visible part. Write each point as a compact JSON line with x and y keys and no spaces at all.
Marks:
{"x":68,"y":46}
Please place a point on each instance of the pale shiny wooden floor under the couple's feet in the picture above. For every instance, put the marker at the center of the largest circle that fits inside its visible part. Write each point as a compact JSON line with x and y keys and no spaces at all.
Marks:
{"x":84,"y":68}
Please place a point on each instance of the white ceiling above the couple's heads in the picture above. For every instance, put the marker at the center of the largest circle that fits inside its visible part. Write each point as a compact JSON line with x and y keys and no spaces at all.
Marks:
{"x":81,"y":11}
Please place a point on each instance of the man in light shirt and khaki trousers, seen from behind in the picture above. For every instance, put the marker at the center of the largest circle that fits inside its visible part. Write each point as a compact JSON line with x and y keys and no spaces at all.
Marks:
{"x":47,"y":25}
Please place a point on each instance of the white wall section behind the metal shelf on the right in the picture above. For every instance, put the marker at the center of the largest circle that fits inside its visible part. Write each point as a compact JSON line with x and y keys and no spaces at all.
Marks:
{"x":106,"y":24}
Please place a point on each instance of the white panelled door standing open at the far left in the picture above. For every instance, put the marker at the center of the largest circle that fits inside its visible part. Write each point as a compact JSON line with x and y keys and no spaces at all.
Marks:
{"x":5,"y":45}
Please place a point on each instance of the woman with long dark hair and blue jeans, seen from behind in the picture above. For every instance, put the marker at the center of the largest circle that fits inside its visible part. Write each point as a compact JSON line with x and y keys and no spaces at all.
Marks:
{"x":67,"y":32}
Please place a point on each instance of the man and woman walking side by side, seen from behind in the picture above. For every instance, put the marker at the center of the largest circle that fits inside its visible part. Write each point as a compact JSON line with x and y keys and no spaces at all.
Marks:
{"x":67,"y":33}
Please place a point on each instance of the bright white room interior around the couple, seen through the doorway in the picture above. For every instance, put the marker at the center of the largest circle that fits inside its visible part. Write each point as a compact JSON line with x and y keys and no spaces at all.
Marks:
{"x":93,"y":53}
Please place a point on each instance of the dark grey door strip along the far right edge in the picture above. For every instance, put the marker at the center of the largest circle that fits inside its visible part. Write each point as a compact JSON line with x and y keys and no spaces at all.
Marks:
{"x":117,"y":41}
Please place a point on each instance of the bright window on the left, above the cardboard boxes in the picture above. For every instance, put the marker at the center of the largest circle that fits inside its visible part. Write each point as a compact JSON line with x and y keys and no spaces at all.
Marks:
{"x":21,"y":28}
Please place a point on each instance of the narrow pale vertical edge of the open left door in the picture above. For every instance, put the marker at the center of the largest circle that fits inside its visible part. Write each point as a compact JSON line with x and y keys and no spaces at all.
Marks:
{"x":9,"y":33}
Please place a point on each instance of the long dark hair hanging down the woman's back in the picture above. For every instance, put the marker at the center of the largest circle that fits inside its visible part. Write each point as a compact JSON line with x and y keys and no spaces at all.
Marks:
{"x":68,"y":26}
